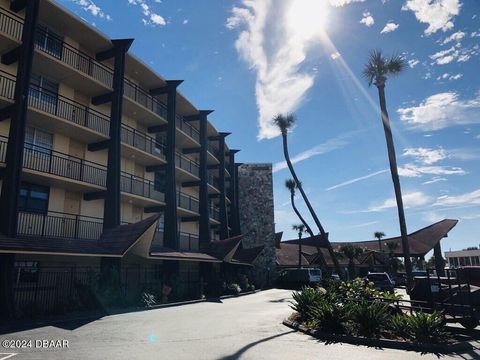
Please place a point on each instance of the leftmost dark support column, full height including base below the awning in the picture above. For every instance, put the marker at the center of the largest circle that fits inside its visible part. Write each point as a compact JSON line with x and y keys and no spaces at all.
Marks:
{"x":14,"y":155}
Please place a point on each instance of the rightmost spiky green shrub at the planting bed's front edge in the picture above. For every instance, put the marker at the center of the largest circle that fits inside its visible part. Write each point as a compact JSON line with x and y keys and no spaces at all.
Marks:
{"x":427,"y":328}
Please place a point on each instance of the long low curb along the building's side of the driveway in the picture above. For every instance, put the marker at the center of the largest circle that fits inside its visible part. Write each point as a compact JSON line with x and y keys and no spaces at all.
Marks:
{"x":19,"y":326}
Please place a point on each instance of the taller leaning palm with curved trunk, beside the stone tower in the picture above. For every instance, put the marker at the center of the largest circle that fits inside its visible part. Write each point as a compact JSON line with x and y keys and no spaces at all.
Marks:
{"x":285,"y":123}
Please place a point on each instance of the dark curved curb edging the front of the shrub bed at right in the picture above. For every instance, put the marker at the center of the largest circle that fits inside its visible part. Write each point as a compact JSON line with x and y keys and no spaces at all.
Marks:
{"x":456,"y":347}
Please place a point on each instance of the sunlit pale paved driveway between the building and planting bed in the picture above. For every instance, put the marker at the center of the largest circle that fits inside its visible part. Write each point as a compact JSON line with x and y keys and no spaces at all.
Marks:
{"x":247,"y":327}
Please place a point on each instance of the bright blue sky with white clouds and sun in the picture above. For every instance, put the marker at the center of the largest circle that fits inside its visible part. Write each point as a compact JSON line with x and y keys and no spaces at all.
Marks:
{"x":252,"y":59}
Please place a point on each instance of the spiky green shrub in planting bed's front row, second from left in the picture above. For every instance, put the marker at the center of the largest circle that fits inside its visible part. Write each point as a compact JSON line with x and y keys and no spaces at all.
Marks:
{"x":328,"y":316}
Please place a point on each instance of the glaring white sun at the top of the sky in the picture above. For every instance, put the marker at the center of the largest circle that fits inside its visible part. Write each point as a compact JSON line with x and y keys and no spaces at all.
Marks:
{"x":308,"y":18}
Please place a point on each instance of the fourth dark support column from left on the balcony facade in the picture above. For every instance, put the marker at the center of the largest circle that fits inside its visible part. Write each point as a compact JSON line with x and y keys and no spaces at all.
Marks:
{"x":204,"y":224}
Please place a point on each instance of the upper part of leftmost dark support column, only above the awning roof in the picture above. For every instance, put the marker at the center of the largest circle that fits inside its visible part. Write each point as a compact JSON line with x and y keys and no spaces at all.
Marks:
{"x":18,"y":118}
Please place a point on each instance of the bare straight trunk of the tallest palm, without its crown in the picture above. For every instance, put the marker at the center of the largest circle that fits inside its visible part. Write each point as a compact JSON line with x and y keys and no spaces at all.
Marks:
{"x":396,"y":184}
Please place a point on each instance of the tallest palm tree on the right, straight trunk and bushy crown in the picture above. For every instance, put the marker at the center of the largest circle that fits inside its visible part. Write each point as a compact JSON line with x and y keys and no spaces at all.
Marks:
{"x":376,"y":71}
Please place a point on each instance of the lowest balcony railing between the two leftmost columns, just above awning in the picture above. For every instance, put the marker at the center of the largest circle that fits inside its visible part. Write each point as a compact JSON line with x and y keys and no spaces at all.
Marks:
{"x":59,"y":225}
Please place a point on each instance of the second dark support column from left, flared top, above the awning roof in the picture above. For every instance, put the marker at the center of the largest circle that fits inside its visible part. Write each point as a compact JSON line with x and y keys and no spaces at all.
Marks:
{"x":112,"y":205}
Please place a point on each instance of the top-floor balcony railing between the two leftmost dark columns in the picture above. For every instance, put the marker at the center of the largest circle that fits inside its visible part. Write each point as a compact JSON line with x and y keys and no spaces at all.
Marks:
{"x":57,"y":48}
